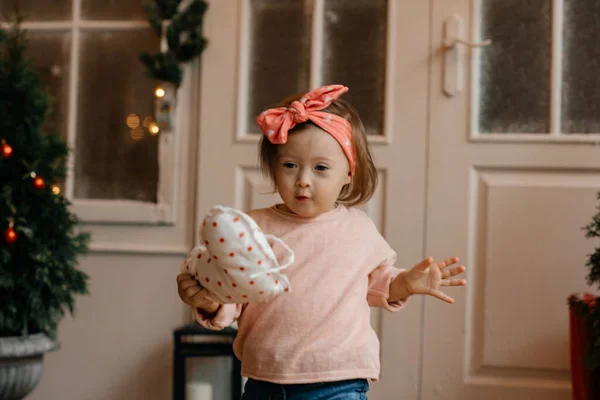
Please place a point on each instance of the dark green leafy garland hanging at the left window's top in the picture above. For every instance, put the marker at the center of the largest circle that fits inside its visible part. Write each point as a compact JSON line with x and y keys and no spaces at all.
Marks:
{"x":182,"y":30}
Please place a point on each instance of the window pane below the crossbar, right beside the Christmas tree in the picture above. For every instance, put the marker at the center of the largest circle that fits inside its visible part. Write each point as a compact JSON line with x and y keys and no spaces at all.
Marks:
{"x":50,"y":55}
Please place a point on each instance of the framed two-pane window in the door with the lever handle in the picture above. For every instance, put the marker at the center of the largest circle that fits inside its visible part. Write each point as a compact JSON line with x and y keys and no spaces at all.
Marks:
{"x":534,"y":83}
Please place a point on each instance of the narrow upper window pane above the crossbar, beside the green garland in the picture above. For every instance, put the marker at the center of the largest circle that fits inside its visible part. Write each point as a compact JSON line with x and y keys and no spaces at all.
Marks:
{"x":113,"y":10}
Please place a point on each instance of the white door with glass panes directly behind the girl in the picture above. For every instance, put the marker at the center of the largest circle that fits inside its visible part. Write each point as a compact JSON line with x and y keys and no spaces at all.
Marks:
{"x":263,"y":50}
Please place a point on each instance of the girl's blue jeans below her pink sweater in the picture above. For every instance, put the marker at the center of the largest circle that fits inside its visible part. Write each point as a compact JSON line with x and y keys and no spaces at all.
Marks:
{"x":353,"y":389}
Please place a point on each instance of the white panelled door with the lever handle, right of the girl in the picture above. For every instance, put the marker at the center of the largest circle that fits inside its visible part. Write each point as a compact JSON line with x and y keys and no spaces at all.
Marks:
{"x":513,"y":174}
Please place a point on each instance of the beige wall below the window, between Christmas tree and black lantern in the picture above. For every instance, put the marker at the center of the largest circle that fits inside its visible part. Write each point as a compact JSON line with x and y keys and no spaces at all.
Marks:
{"x":119,"y":346}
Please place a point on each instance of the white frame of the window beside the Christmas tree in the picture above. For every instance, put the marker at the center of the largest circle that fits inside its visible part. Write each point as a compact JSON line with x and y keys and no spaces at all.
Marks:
{"x":165,"y":210}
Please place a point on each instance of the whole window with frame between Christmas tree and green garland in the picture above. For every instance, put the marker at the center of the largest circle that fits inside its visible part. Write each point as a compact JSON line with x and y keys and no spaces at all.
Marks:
{"x":123,"y":165}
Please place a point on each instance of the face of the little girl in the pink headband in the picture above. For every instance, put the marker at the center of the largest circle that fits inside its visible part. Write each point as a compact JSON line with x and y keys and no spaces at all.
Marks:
{"x":311,"y":171}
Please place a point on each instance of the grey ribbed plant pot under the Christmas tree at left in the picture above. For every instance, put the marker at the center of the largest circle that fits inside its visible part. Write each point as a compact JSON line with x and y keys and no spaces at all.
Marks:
{"x":21,"y":360}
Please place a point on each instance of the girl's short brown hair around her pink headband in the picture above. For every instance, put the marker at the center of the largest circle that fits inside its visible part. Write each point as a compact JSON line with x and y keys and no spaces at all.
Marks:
{"x":364,"y":181}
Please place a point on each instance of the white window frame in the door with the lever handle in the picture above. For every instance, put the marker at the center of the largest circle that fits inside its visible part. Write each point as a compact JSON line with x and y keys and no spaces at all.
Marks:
{"x":555,"y":135}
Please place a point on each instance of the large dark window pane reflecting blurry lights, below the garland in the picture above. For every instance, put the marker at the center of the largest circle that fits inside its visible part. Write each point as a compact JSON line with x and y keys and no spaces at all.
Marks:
{"x":113,"y":161}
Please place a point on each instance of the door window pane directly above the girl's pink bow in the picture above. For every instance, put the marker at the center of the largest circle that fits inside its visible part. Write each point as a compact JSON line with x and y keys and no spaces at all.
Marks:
{"x":279,"y":53}
